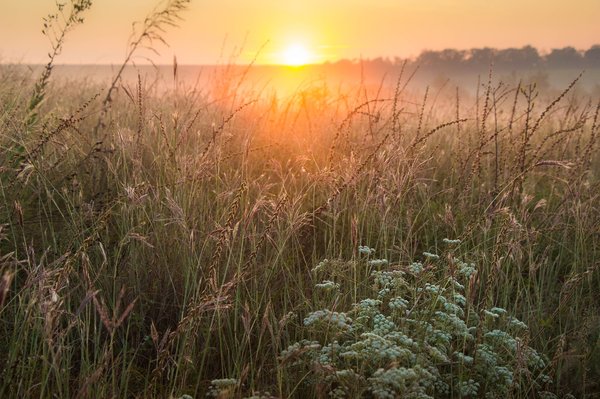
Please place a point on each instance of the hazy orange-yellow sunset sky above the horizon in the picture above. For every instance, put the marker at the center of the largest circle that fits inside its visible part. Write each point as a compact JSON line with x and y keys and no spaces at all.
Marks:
{"x":328,"y":29}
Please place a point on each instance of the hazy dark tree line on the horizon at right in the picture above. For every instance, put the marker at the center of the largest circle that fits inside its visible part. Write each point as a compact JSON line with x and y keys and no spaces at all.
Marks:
{"x":527,"y":57}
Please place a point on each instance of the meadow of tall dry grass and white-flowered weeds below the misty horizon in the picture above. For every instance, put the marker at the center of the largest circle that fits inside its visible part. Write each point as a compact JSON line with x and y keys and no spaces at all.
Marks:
{"x":228,"y":241}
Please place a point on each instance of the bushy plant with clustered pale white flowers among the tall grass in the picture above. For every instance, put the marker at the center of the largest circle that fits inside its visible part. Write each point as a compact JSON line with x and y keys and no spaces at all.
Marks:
{"x":417,"y":335}
